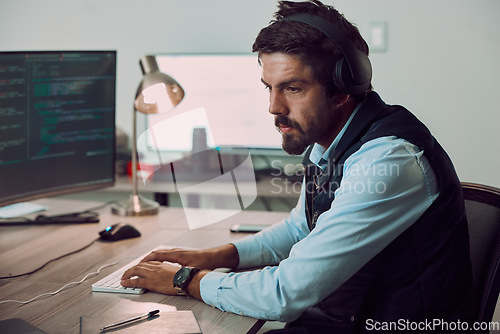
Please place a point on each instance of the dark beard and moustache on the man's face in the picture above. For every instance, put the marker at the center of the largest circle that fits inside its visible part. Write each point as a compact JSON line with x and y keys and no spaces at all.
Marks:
{"x":294,"y":144}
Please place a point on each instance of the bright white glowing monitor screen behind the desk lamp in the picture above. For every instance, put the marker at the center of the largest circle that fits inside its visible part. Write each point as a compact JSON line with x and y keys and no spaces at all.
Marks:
{"x":224,"y":96}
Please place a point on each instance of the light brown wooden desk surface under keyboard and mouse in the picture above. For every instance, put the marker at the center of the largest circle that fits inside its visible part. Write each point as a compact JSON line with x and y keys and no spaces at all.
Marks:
{"x":24,"y":248}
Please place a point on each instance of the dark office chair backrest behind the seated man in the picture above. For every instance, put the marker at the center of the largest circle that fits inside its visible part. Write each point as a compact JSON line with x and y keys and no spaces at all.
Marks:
{"x":482,"y":204}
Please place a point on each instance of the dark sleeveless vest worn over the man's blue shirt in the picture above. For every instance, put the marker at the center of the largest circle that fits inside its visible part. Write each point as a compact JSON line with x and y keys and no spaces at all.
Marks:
{"x":425,"y":273}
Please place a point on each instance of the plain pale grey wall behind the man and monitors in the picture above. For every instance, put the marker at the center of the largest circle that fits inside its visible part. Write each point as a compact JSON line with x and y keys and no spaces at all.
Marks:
{"x":440,"y":63}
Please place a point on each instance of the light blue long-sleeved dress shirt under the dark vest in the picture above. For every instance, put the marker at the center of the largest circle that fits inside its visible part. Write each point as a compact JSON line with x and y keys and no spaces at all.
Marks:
{"x":387,"y":185}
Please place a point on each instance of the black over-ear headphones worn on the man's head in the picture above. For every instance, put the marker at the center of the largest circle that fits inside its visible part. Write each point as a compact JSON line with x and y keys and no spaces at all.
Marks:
{"x":353,"y":72}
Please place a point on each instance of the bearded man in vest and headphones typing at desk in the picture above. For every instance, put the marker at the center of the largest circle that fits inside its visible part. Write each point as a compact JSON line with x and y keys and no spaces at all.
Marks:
{"x":379,"y":235}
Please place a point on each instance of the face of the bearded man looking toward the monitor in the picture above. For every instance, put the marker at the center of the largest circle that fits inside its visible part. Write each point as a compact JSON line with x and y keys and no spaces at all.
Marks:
{"x":303,"y":114}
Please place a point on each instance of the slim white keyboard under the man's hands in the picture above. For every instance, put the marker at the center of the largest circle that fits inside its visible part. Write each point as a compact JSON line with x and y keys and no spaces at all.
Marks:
{"x":111,"y":283}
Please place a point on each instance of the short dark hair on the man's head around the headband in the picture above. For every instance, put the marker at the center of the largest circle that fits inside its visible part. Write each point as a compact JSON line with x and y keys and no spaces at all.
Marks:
{"x":309,"y":44}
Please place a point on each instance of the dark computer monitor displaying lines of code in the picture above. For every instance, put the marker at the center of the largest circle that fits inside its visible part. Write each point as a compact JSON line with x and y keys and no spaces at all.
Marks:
{"x":57,"y":123}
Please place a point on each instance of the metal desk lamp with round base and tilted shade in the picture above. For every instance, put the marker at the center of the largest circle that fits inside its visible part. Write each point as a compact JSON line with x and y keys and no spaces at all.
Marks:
{"x":162,"y":90}
